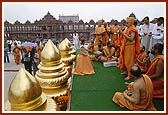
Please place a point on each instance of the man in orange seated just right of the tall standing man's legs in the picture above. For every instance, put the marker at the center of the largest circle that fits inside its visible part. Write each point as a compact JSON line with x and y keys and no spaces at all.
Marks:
{"x":143,"y":60}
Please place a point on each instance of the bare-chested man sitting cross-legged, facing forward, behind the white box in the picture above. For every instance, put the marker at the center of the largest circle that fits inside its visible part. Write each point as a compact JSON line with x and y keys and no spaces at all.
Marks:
{"x":109,"y":51}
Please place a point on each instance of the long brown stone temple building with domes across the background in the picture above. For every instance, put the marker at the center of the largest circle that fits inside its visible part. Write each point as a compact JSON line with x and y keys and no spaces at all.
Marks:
{"x":50,"y":28}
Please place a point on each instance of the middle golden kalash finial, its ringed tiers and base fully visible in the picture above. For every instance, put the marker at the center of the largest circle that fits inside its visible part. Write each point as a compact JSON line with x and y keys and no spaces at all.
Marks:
{"x":52,"y":75}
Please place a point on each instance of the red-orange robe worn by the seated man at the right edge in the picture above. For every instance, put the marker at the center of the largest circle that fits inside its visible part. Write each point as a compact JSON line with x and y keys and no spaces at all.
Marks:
{"x":157,"y":84}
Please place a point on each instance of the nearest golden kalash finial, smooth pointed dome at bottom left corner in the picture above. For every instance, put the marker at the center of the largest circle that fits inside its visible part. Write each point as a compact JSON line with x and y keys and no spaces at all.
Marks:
{"x":25,"y":94}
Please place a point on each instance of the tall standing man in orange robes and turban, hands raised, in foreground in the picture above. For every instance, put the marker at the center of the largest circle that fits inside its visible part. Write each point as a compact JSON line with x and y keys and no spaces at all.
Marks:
{"x":130,"y":47}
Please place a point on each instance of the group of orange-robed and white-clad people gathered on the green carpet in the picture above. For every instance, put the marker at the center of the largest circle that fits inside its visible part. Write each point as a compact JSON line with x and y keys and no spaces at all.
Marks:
{"x":138,"y":50}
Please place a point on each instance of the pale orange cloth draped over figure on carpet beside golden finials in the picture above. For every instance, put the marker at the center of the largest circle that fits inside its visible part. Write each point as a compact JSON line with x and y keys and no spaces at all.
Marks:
{"x":84,"y":65}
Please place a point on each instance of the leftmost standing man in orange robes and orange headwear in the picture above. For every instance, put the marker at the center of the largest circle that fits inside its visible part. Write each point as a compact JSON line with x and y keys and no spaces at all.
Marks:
{"x":99,"y":32}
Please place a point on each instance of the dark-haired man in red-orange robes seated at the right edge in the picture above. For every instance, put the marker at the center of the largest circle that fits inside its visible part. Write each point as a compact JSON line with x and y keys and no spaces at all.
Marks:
{"x":156,"y":71}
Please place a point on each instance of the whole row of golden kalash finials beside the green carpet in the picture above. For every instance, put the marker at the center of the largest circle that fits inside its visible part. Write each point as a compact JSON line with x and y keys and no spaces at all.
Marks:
{"x":49,"y":89}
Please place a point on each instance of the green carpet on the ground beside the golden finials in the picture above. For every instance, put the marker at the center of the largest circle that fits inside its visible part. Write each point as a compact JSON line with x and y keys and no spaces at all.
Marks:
{"x":95,"y":92}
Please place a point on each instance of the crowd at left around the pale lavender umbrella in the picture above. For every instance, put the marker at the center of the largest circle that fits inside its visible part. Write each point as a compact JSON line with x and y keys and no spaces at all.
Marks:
{"x":27,"y":53}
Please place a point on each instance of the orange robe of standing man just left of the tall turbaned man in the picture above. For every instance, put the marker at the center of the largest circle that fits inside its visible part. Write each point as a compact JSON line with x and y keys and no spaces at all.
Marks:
{"x":115,"y":35}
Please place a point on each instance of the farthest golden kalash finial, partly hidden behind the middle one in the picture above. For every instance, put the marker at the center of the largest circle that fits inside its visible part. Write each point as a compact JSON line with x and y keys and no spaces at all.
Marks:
{"x":66,"y":56}
